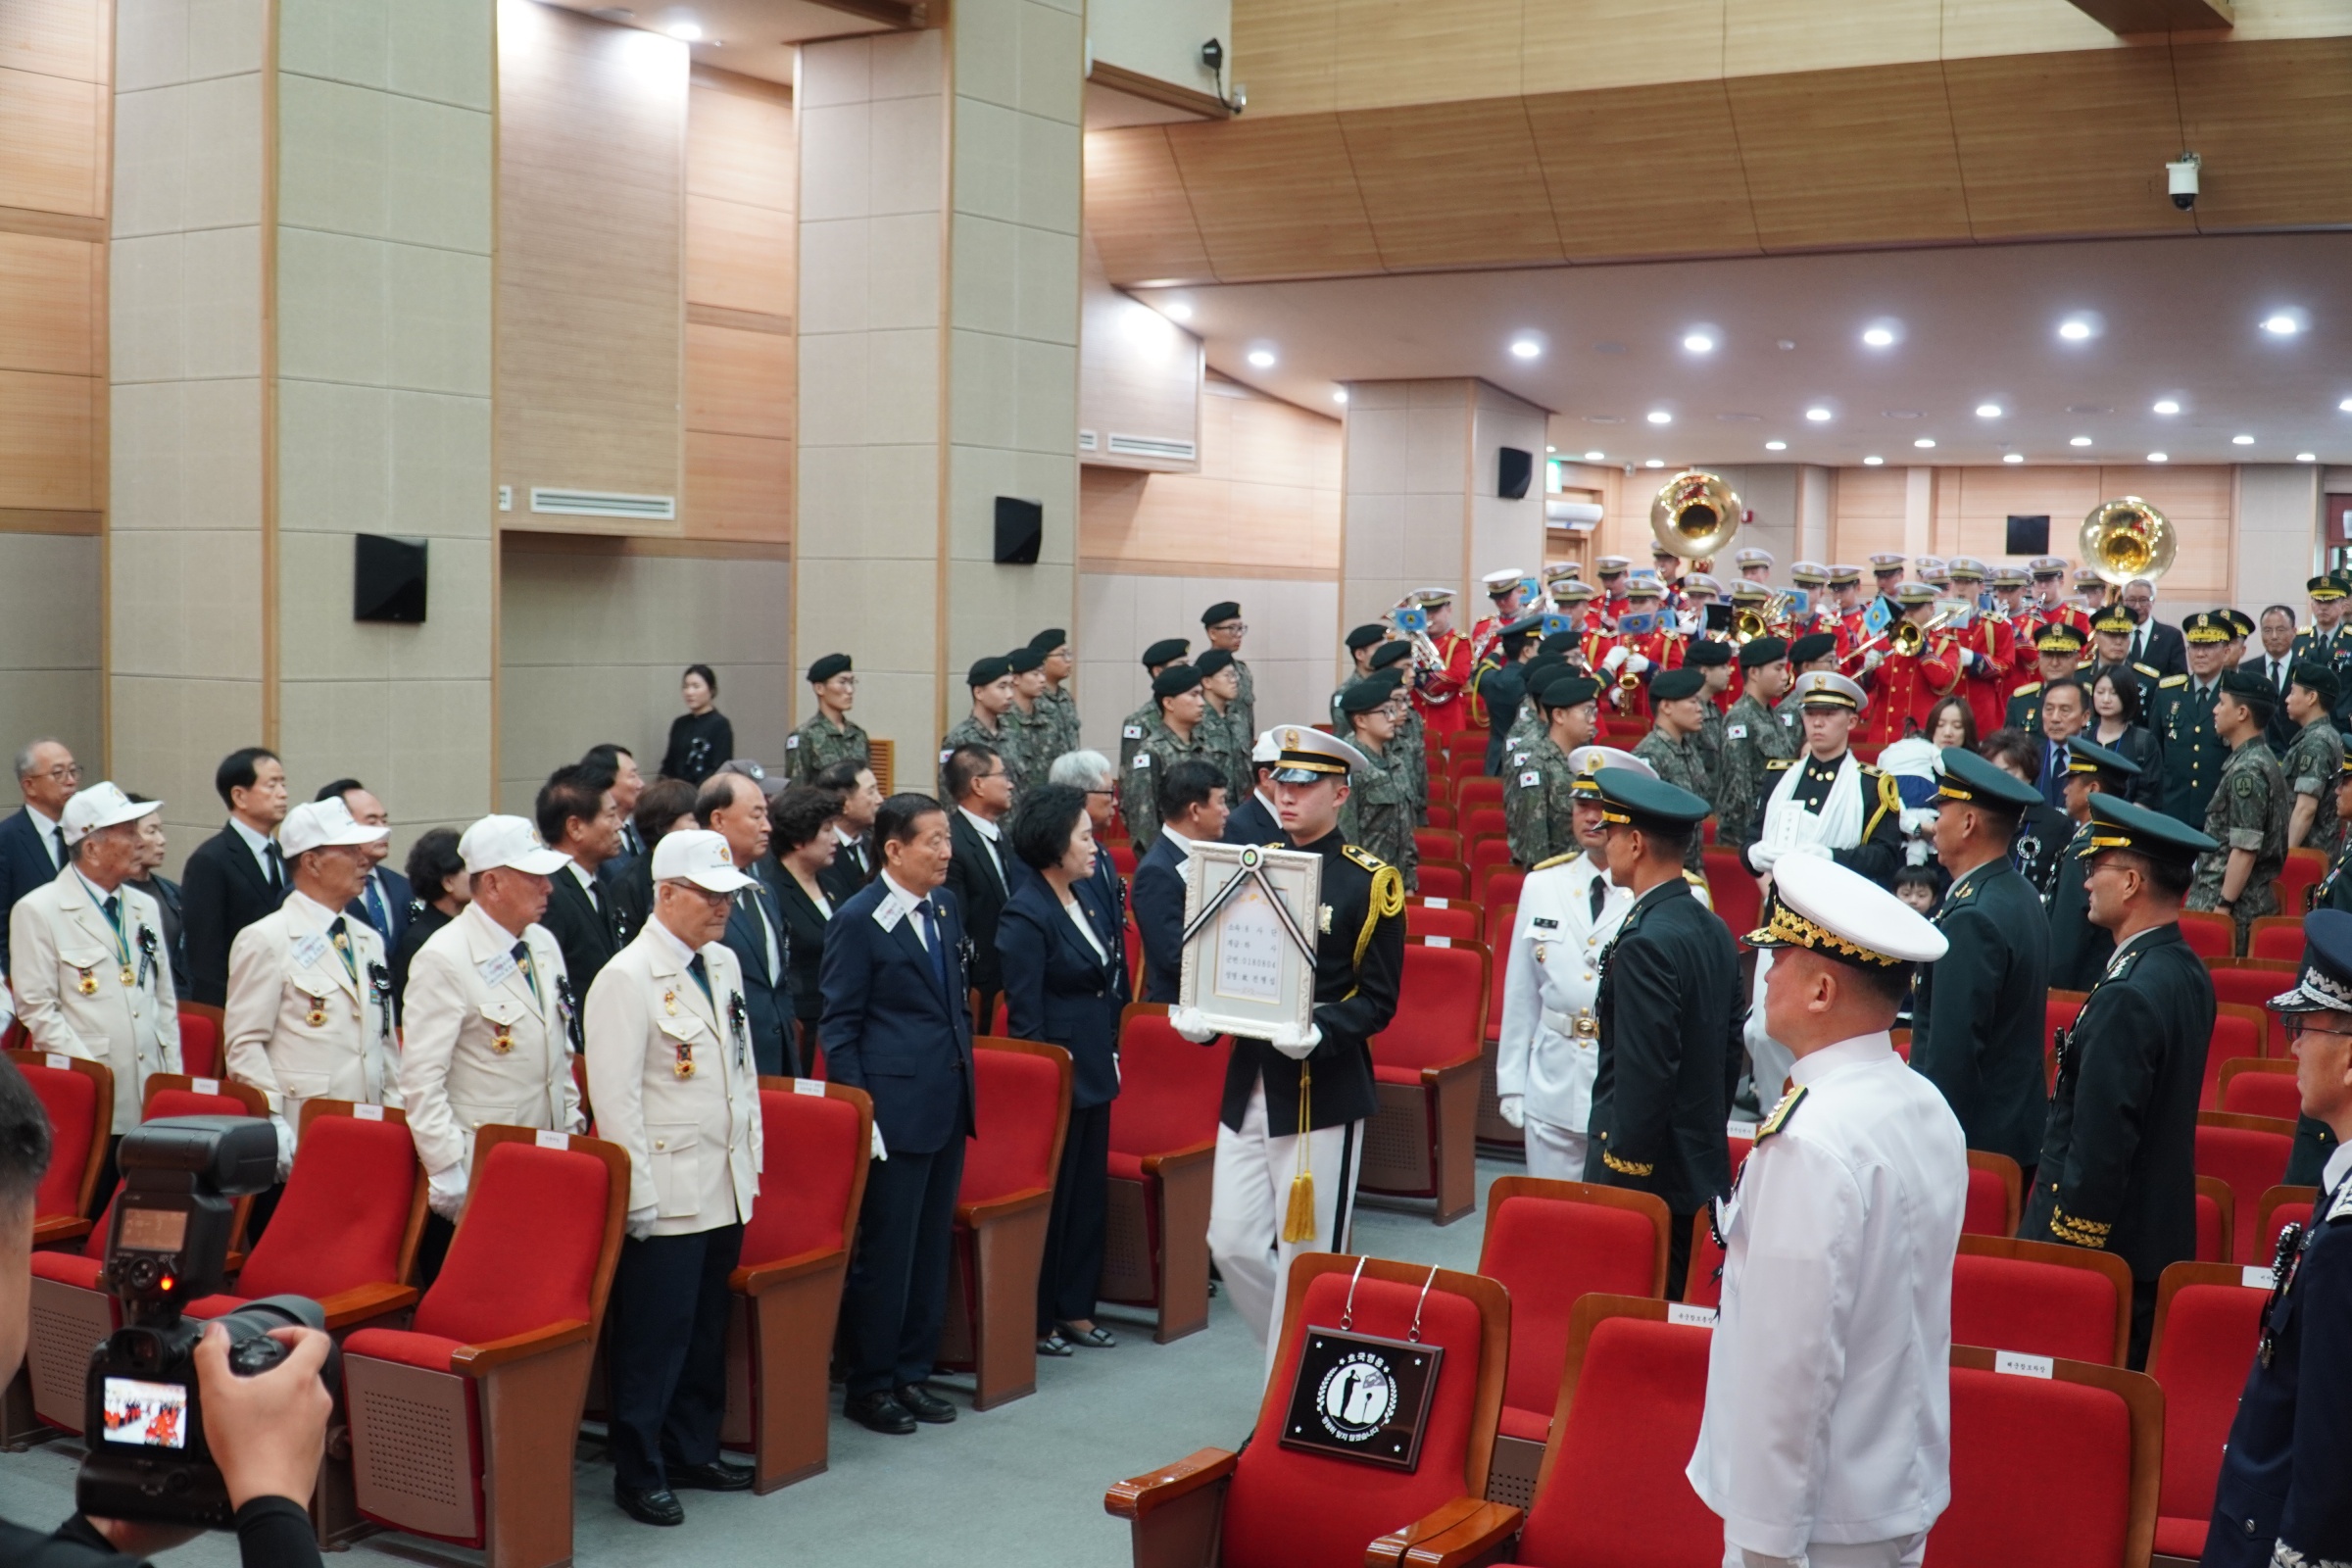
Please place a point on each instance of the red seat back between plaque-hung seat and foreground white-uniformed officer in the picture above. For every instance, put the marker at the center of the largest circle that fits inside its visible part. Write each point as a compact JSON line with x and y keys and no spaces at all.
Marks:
{"x":1617,"y":1494}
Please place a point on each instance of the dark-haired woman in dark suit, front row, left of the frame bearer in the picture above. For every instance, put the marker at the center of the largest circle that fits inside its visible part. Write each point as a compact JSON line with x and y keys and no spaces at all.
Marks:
{"x":1067,"y":986}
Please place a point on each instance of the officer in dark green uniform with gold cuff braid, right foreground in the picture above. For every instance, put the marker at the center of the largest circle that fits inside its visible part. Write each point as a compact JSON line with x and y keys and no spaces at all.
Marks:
{"x":2118,"y":1165}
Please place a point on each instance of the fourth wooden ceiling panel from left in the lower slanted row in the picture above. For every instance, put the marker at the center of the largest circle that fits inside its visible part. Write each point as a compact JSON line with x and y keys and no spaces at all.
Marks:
{"x":1645,"y":173}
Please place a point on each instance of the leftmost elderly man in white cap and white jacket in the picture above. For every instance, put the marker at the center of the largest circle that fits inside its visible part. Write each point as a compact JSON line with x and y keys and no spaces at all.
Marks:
{"x":93,"y":977}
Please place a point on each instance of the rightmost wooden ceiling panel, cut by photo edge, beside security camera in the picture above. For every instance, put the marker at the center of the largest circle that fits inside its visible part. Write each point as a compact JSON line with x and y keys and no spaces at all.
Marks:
{"x":2278,"y":116}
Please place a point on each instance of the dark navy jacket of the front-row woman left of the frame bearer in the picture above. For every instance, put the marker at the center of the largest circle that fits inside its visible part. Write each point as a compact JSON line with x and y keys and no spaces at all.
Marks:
{"x":1060,"y":991}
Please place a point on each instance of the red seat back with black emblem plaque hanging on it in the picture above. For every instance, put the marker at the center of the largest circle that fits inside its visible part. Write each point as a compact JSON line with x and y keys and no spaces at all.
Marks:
{"x":1302,"y":1510}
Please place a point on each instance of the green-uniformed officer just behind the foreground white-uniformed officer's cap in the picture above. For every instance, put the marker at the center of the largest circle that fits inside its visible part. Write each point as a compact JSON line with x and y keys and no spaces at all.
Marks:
{"x":1977,"y":1017}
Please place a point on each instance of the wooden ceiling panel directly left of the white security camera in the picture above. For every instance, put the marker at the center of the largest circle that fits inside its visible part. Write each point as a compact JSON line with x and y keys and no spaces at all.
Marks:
{"x":2066,"y":145}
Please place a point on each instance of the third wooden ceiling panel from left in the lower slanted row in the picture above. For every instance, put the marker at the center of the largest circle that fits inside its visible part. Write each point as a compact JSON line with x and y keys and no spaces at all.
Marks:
{"x":1452,"y":185}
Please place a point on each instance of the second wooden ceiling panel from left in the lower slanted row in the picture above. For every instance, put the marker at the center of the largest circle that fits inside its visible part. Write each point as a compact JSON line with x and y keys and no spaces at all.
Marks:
{"x":1274,"y":199}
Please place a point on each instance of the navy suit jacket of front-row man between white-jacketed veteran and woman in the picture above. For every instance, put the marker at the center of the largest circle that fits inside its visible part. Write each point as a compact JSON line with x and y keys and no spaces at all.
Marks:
{"x":890,"y":1031}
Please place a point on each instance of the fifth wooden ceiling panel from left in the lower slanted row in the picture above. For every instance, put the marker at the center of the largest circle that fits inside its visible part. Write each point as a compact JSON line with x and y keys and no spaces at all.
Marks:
{"x":1850,"y":159}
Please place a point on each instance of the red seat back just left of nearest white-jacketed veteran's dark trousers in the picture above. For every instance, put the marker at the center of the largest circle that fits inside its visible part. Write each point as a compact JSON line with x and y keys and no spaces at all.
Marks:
{"x":528,"y":1247}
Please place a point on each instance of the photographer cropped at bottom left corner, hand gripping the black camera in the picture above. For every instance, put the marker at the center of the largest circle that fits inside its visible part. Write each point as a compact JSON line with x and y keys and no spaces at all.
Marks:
{"x":267,"y":1433}
